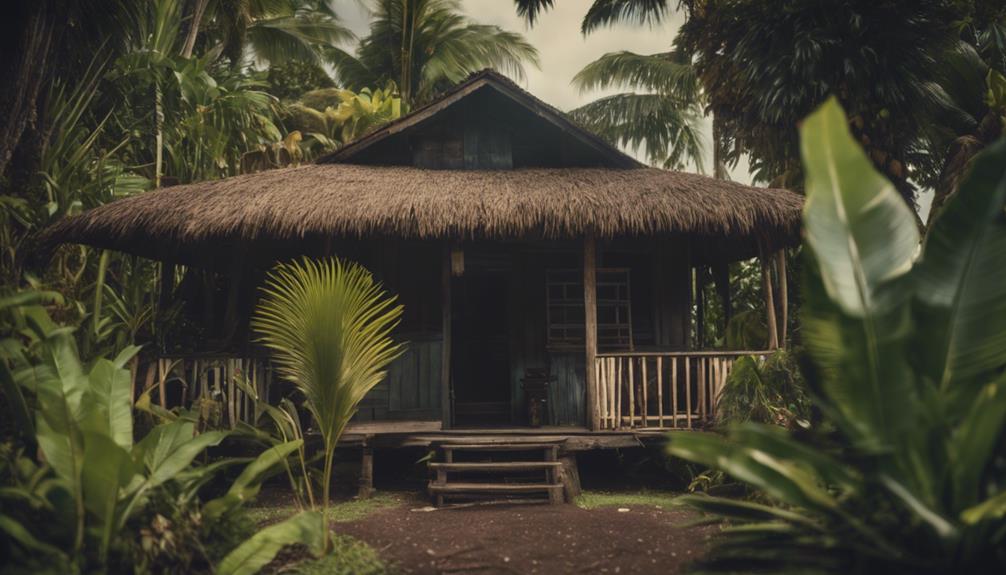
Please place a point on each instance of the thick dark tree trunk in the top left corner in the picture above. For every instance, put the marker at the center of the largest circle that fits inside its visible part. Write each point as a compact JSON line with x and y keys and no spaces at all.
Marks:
{"x":26,"y":60}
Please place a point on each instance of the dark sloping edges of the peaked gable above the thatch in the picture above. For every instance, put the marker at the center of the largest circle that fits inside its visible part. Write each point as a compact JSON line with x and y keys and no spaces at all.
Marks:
{"x":487,"y":79}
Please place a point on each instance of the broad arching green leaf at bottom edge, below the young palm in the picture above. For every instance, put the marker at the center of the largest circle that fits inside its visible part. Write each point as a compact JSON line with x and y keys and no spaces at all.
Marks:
{"x":305,"y":528}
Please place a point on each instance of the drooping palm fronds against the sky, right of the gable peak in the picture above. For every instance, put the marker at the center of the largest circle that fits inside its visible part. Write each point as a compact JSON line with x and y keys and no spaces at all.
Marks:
{"x":662,"y":113}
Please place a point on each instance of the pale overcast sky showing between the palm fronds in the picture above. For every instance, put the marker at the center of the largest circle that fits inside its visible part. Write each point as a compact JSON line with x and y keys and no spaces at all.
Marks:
{"x":563,"y":51}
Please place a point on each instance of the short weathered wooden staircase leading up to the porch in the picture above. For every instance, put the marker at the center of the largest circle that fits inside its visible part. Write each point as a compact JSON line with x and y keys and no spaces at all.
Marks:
{"x":515,"y":472}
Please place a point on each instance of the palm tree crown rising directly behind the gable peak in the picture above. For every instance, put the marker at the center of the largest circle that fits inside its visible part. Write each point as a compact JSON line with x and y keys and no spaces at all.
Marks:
{"x":426,"y":47}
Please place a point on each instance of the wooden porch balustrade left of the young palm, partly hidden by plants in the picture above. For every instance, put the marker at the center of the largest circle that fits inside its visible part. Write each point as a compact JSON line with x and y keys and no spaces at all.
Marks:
{"x":186,"y":380}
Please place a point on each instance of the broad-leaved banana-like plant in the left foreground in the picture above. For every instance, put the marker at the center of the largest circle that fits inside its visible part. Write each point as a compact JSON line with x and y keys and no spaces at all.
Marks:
{"x":92,"y":476}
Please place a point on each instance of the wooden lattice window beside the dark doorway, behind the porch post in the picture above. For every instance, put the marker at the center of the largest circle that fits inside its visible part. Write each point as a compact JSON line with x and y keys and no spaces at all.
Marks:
{"x":565,"y":310}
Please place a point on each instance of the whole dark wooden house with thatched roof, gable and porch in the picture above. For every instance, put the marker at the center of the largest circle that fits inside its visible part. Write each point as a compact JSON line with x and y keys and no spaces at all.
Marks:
{"x":523,"y":247}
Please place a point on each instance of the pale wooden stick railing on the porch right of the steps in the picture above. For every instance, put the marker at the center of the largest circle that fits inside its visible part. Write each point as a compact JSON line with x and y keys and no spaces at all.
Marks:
{"x":661,"y":390}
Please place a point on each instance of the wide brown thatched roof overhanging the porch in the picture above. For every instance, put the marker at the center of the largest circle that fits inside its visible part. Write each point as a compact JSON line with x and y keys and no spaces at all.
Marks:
{"x":360,"y":202}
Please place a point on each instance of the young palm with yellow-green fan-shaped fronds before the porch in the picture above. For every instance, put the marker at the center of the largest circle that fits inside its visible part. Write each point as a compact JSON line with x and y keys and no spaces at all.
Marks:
{"x":329,"y":325}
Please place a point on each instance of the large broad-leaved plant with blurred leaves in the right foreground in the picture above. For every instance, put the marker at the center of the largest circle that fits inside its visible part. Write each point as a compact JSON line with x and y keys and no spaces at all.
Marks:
{"x":909,"y":349}
